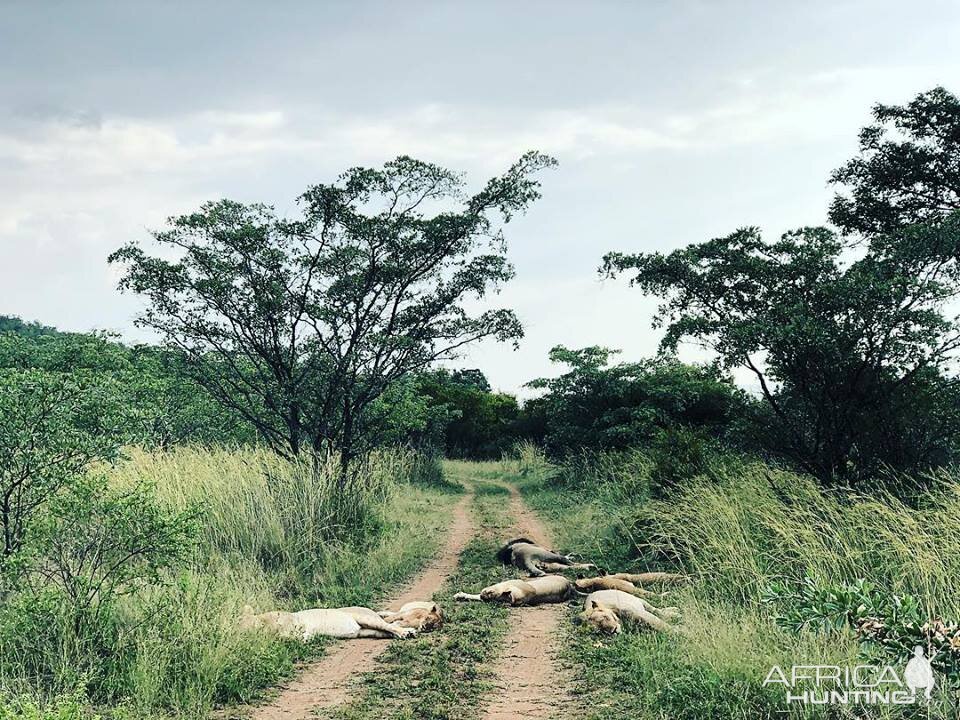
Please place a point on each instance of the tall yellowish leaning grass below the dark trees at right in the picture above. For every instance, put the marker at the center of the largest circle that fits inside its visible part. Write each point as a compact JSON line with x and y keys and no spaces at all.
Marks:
{"x":739,"y":530}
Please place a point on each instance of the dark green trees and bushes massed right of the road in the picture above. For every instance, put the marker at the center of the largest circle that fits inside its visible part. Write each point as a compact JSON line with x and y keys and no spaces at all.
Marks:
{"x":848,"y":333}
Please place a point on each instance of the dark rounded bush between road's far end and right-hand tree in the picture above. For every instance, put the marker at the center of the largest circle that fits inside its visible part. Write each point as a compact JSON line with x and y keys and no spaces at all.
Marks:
{"x":598,"y":406}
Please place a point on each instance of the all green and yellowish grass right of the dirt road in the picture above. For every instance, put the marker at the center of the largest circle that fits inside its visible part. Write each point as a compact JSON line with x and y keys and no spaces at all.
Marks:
{"x":737,"y":529}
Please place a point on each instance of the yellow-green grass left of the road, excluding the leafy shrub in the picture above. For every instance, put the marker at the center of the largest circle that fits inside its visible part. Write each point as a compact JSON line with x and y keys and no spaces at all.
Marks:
{"x":273,"y":535}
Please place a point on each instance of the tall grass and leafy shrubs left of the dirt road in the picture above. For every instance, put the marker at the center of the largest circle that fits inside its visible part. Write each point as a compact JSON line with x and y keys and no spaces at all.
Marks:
{"x":165,"y":640}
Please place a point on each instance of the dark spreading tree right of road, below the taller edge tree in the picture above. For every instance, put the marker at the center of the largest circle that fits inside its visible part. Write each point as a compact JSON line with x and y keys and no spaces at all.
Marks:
{"x":835,"y":347}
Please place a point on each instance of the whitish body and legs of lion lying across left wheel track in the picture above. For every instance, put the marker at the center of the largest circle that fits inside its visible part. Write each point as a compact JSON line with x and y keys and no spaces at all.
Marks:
{"x":345,"y":623}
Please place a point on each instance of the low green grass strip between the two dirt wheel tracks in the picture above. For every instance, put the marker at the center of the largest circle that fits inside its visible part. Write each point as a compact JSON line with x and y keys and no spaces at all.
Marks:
{"x":444,"y":674}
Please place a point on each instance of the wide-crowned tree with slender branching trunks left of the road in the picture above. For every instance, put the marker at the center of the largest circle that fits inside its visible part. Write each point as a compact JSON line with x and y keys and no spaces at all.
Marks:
{"x":299,"y":325}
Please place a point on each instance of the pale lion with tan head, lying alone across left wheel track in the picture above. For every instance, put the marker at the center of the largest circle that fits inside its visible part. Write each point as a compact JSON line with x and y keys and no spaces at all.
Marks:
{"x":344,"y":623}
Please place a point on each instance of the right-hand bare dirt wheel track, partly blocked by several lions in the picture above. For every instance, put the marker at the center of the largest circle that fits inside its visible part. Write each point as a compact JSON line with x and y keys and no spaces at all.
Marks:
{"x":529,"y":678}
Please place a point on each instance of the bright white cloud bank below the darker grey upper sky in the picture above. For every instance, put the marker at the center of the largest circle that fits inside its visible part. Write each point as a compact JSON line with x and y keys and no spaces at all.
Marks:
{"x":79,"y":182}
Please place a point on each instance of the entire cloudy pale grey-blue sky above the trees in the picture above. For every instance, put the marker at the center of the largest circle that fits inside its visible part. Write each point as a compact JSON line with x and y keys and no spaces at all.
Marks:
{"x":673,"y":122}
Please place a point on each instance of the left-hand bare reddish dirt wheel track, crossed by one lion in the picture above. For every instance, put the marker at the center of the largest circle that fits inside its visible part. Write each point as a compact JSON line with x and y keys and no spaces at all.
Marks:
{"x":329,"y":682}
